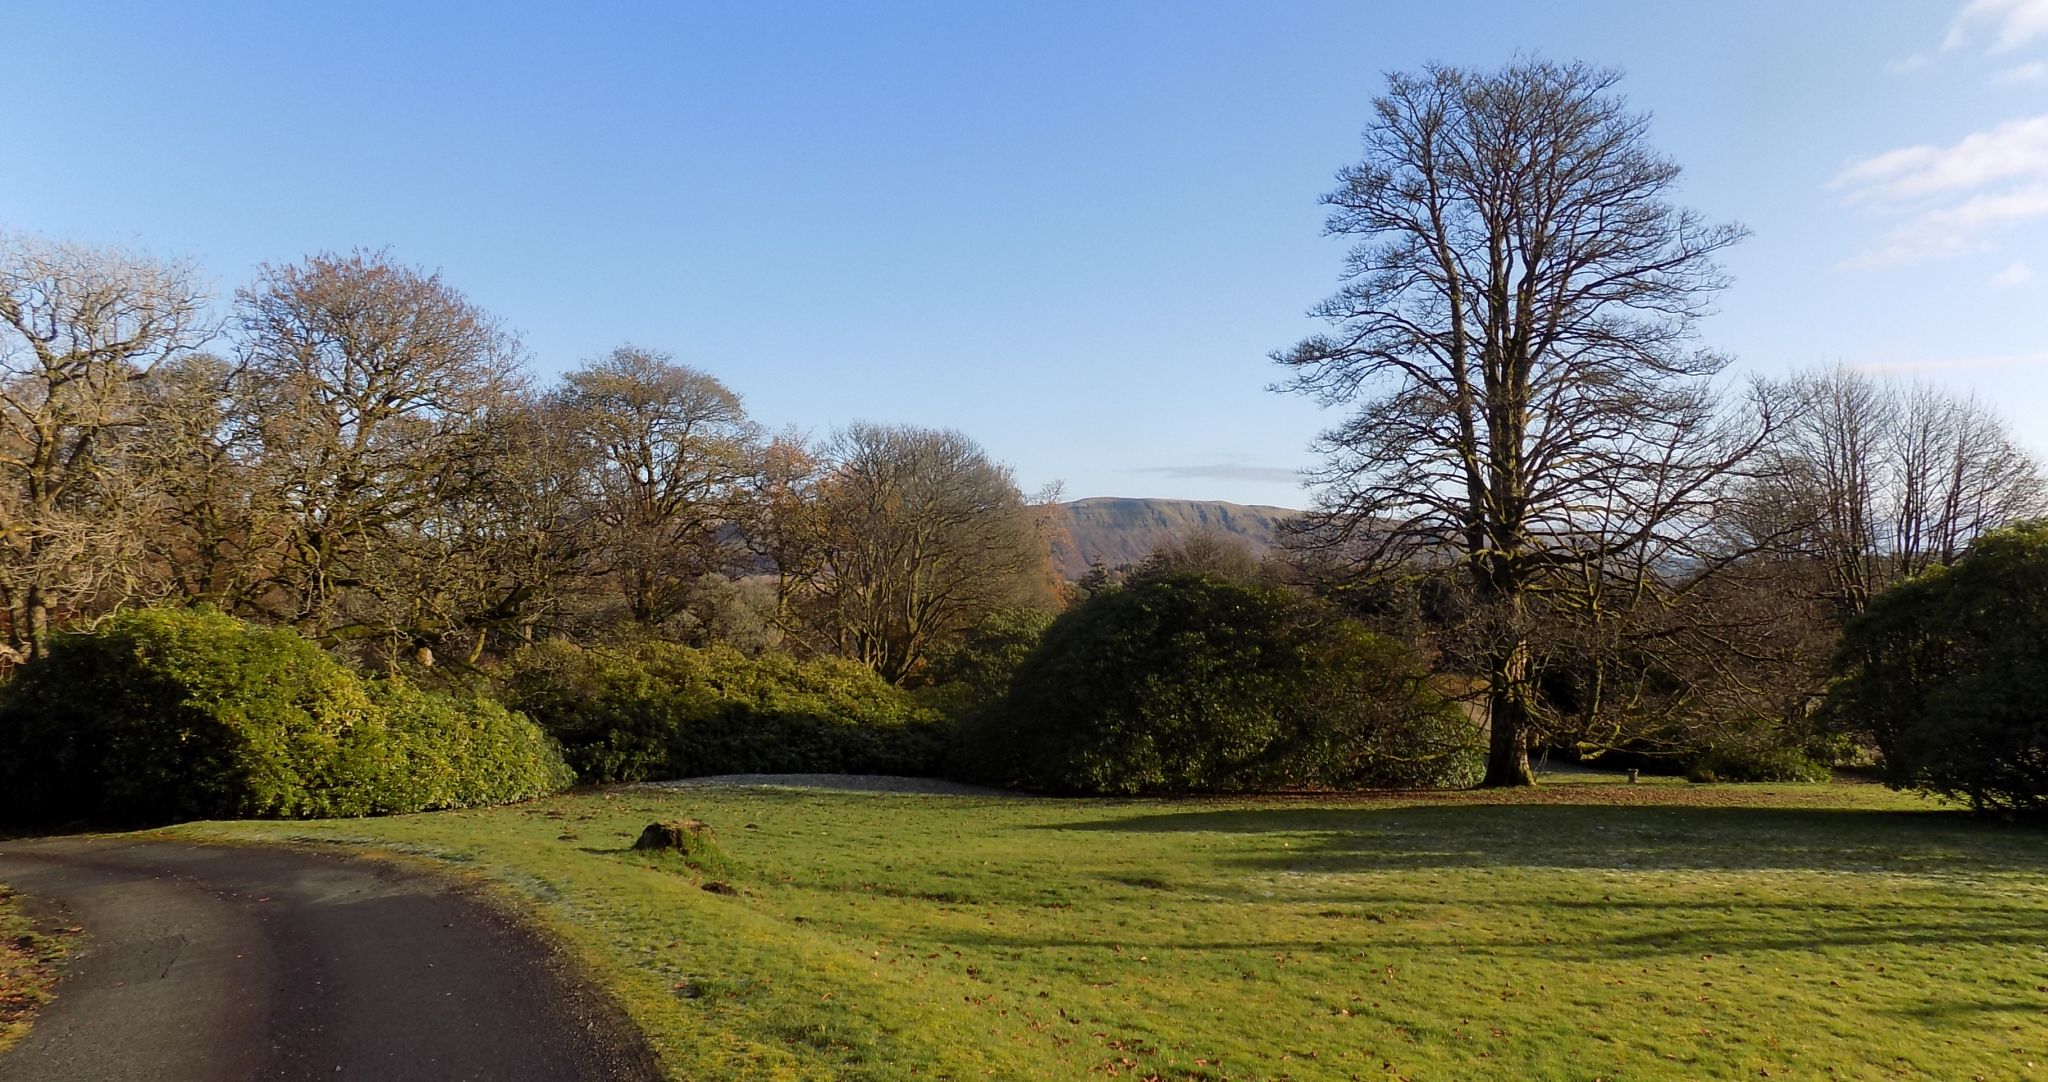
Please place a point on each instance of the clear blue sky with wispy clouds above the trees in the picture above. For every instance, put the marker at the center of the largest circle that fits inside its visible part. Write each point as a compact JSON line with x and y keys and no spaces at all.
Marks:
{"x":1070,"y":231}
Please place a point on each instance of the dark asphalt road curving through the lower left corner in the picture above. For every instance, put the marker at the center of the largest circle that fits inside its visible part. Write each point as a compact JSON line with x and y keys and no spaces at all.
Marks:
{"x":214,"y":964}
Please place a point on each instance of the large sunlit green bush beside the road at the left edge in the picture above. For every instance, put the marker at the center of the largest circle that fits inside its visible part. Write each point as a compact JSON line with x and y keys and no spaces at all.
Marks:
{"x":175,"y":714}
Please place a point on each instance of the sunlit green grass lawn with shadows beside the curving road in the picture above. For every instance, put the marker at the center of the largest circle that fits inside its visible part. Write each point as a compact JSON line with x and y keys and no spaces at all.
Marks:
{"x":1574,"y":931}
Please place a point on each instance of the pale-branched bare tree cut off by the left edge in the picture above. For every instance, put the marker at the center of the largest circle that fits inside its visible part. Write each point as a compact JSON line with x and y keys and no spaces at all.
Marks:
{"x":79,"y":331}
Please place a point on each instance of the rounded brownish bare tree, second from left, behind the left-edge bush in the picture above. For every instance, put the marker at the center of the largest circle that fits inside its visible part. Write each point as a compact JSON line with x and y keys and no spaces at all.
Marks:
{"x":372,"y":388}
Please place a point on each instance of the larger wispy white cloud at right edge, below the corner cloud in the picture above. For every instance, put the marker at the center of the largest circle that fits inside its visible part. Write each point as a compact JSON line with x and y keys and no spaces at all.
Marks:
{"x":1951,"y":200}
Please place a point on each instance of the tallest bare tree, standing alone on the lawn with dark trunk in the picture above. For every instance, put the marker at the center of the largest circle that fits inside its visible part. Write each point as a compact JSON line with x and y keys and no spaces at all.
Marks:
{"x":1514,"y":341}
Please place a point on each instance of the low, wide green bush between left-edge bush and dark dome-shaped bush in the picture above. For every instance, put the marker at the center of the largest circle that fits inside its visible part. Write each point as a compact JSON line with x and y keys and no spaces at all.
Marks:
{"x":660,"y":710}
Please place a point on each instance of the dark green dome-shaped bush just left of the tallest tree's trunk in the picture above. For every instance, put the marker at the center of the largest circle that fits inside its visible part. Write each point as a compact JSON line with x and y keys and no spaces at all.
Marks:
{"x":1187,"y":683}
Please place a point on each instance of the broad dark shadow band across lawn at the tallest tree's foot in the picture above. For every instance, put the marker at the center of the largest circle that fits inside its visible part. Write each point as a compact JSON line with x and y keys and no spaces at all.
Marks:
{"x":1607,"y":837}
